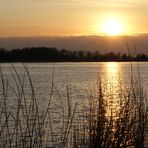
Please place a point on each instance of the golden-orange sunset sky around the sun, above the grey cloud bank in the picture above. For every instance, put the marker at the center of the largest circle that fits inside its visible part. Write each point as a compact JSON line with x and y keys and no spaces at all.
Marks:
{"x":70,"y":17}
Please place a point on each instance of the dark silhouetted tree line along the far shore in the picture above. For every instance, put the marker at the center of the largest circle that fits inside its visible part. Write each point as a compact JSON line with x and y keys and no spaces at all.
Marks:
{"x":44,"y":54}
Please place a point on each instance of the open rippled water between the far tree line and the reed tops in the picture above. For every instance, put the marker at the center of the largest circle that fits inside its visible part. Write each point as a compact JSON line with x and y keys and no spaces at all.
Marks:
{"x":80,"y":76}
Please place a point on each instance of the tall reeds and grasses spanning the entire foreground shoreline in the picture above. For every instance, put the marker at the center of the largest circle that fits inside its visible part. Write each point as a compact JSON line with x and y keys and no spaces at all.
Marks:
{"x":62,"y":122}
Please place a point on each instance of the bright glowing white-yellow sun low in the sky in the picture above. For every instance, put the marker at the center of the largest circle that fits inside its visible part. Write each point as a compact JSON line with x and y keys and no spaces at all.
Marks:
{"x":112,"y":27}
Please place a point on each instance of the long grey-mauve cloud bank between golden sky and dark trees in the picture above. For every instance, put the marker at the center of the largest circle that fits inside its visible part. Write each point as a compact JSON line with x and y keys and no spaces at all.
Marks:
{"x":100,"y":43}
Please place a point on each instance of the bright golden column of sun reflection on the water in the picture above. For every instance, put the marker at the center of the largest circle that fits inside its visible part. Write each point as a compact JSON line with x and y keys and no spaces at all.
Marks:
{"x":112,"y":88}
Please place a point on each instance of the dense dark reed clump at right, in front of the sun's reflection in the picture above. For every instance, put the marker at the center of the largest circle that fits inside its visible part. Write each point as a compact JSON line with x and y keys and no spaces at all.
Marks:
{"x":125,"y":128}
